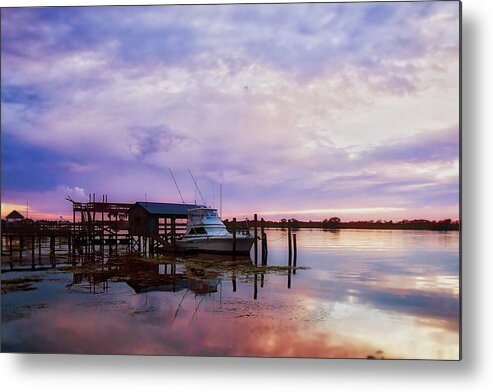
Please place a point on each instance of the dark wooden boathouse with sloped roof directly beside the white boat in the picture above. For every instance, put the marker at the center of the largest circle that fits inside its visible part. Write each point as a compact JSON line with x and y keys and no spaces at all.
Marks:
{"x":149,"y":218}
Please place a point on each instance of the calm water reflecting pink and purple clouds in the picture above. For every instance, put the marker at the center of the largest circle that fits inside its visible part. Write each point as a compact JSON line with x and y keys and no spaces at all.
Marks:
{"x":361,"y":293}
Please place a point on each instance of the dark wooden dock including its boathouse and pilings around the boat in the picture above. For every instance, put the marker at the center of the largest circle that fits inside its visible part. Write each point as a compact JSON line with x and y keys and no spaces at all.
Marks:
{"x":105,"y":228}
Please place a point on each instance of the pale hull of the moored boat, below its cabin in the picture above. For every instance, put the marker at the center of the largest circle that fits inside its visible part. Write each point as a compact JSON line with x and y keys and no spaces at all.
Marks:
{"x":216,"y":245}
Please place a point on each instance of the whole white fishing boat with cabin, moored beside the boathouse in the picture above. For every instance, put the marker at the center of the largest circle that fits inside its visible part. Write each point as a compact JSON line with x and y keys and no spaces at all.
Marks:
{"x":206,"y":232}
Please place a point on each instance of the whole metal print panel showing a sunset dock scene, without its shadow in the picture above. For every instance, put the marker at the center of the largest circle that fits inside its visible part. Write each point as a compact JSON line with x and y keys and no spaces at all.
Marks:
{"x":268,"y":180}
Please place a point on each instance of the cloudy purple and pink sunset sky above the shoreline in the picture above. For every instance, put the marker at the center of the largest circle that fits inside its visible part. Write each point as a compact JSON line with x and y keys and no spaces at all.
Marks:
{"x":302,"y":111}
